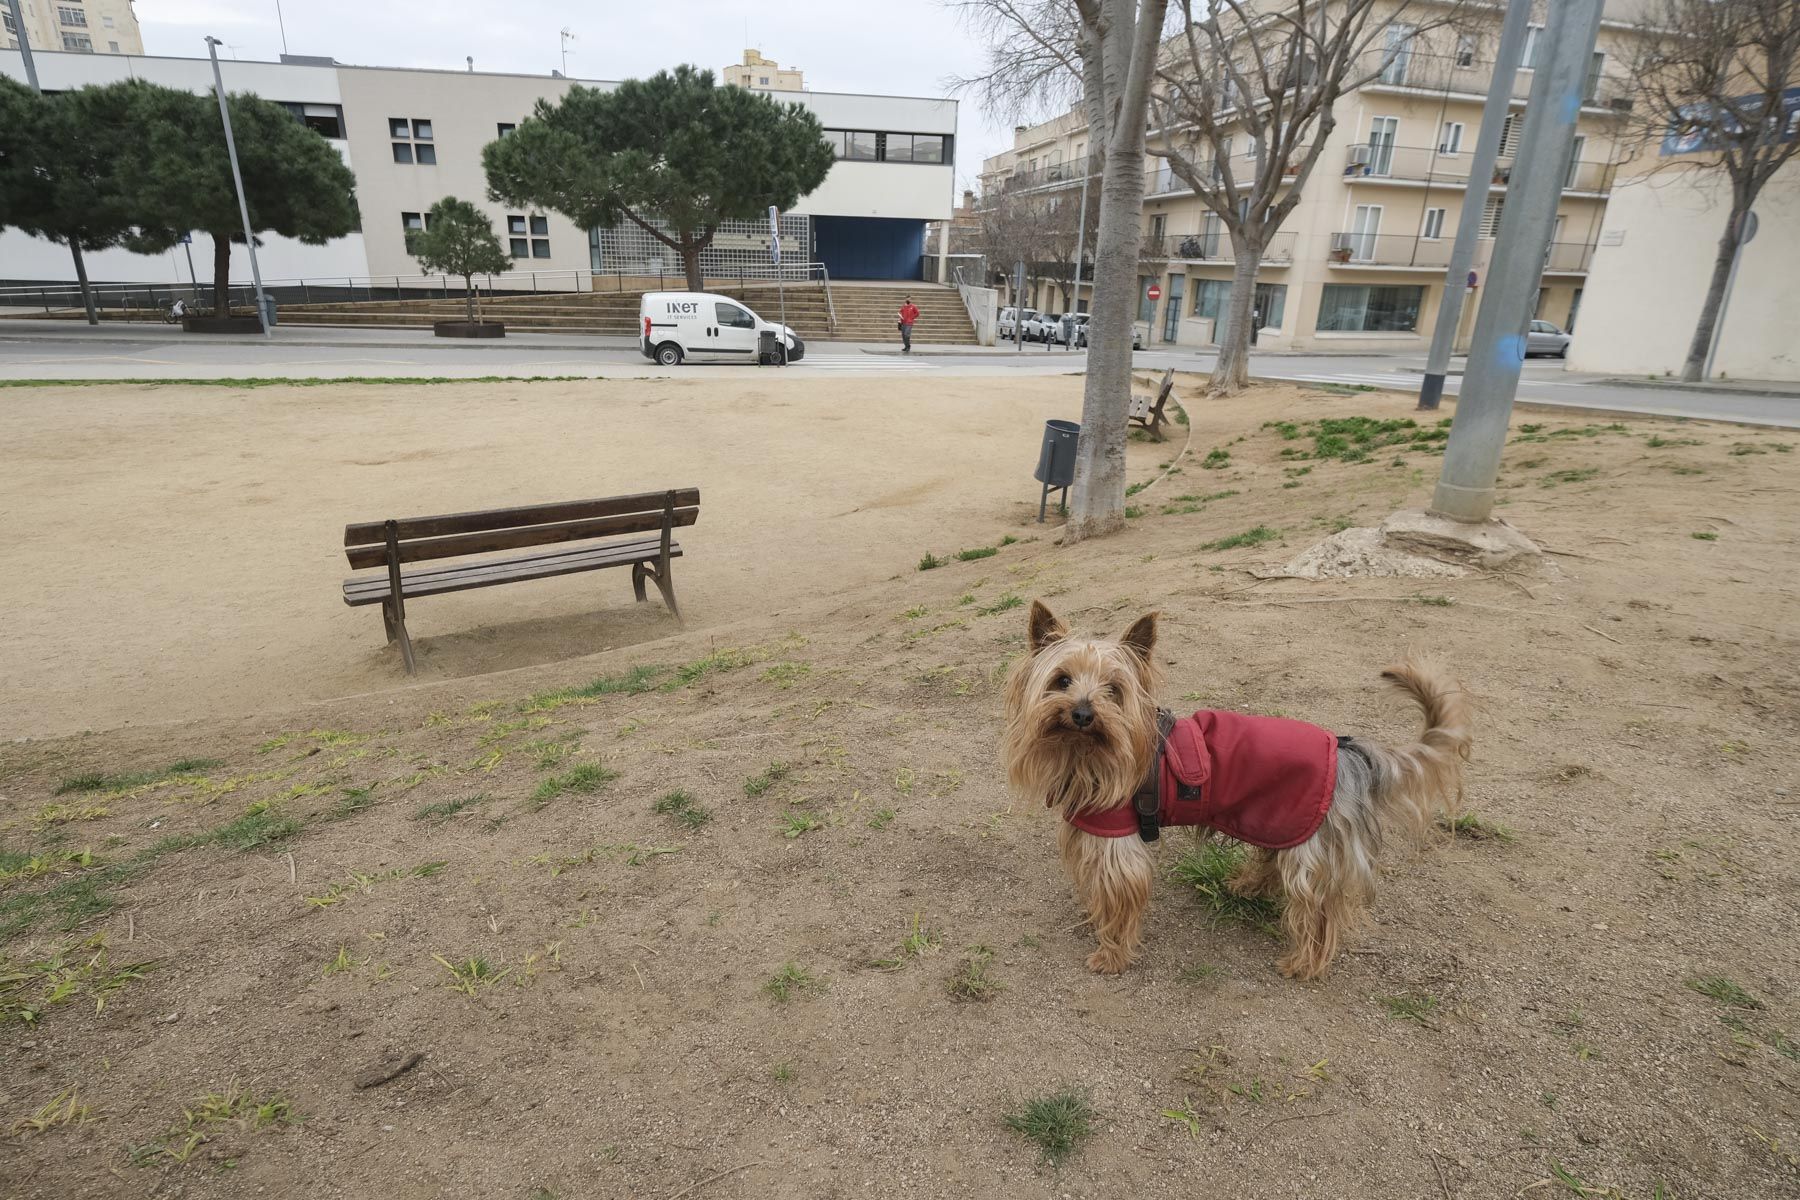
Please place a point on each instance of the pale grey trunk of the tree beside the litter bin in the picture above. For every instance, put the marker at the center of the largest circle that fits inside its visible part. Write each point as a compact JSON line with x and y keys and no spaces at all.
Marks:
{"x":1099,"y":503}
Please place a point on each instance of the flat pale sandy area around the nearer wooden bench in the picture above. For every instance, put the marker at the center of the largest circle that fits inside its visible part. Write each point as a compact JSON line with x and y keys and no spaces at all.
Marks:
{"x":179,"y":551}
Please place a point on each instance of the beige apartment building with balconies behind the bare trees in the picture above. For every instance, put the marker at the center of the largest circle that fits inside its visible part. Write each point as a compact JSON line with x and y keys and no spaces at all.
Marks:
{"x":1360,"y":262}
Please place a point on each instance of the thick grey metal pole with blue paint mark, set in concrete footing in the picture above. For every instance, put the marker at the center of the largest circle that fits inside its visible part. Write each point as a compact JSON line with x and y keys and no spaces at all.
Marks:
{"x":1471,"y":460}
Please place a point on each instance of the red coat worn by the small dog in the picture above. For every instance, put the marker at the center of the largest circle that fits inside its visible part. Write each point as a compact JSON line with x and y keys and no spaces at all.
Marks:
{"x":1261,"y":780}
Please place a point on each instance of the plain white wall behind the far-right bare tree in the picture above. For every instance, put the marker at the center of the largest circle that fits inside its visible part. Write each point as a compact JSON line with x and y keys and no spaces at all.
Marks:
{"x":1651,"y":271}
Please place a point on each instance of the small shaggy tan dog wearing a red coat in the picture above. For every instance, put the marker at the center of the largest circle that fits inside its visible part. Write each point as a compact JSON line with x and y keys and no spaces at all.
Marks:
{"x":1084,"y":733}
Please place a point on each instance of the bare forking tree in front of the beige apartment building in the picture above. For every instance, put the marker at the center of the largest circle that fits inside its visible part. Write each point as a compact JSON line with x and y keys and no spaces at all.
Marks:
{"x":1246,"y":103}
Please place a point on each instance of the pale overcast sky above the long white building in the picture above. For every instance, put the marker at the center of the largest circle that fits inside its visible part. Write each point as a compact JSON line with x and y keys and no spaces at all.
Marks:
{"x":903,"y":48}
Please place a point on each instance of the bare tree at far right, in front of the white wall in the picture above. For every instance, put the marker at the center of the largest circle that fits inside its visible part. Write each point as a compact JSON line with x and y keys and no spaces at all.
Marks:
{"x":1718,"y":96}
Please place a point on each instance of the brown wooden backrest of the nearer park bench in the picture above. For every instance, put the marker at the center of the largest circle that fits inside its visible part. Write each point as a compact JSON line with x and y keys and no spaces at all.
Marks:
{"x":453,"y":535}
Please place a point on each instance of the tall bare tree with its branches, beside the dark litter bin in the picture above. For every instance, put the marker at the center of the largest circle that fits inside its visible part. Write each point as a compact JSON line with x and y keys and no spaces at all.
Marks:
{"x":1104,"y":51}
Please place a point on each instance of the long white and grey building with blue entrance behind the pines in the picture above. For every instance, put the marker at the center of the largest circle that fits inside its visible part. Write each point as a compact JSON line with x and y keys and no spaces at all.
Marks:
{"x":413,"y":138}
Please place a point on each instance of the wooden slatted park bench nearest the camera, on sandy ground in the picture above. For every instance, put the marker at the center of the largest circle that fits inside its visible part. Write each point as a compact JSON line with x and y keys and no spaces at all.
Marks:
{"x":390,"y":544}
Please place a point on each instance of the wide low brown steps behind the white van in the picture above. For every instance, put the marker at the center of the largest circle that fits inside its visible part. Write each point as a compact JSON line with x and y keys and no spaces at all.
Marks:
{"x":865,"y":312}
